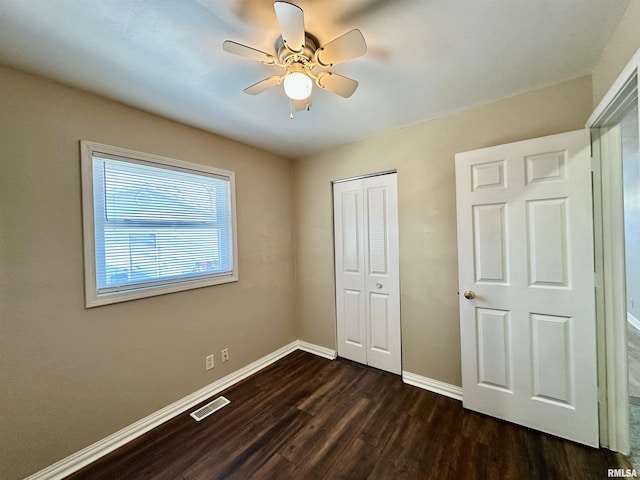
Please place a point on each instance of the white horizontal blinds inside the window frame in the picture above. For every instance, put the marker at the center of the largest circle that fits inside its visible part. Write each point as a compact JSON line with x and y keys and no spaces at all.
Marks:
{"x":158,"y":224}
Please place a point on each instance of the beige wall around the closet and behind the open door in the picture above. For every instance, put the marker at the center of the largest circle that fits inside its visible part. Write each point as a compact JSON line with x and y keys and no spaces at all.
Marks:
{"x":424,"y":157}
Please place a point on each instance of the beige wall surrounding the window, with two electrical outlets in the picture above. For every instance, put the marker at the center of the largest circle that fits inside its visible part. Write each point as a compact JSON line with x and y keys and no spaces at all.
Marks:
{"x":71,"y":376}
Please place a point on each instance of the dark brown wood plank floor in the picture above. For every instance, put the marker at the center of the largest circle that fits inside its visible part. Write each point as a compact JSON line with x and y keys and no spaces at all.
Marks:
{"x":305,"y":417}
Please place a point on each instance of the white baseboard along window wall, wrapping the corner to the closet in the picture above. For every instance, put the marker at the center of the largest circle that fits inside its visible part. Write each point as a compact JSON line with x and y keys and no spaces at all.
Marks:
{"x":90,"y":454}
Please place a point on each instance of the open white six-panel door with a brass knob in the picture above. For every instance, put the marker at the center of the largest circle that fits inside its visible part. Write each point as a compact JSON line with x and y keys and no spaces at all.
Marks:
{"x":525,"y":249}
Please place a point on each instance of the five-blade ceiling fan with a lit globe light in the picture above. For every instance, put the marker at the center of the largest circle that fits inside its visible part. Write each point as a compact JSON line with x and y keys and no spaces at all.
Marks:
{"x":299,"y":54}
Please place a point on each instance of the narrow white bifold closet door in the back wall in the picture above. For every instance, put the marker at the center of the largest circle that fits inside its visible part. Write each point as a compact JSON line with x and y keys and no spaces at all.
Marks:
{"x":367,"y":271}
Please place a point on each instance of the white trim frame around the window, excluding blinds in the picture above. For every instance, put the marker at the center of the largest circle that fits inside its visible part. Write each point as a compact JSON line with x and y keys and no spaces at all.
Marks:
{"x":90,"y":149}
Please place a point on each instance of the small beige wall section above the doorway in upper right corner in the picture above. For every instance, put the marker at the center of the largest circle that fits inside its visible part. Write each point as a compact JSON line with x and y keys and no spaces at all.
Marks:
{"x":624,"y":42}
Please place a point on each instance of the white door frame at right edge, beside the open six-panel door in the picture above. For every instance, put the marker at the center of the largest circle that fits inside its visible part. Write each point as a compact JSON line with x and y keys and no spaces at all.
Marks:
{"x":610,"y":260}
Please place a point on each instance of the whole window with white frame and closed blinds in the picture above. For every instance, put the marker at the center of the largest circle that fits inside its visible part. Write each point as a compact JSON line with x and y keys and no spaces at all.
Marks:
{"x":154,"y":225}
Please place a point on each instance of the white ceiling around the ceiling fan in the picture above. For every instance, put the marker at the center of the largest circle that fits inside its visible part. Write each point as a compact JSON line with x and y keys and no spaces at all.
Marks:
{"x":426,"y":58}
